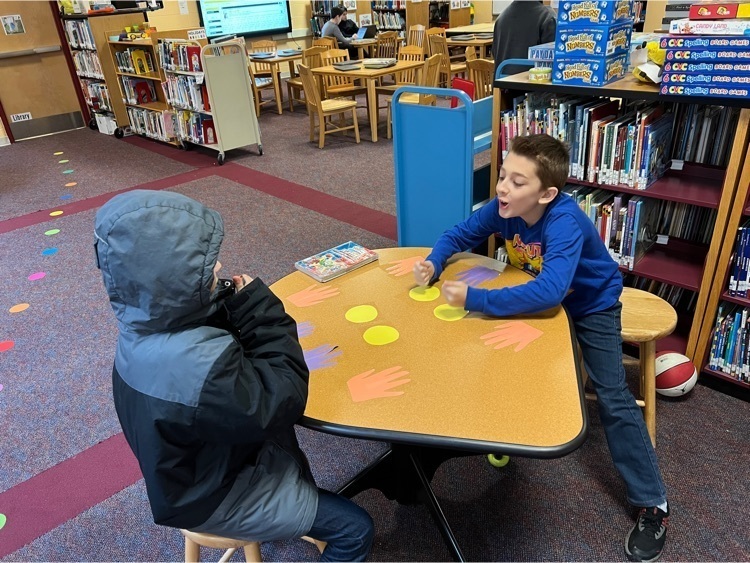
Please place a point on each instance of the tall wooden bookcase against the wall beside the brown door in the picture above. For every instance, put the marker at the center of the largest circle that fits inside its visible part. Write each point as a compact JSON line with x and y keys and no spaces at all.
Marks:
{"x":87,"y":42}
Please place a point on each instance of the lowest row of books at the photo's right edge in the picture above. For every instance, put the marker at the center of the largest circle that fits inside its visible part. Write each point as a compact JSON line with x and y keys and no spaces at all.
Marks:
{"x":730,"y":345}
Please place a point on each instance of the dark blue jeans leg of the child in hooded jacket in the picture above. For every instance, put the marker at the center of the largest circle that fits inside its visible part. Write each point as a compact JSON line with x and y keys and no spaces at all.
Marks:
{"x":346,"y":527}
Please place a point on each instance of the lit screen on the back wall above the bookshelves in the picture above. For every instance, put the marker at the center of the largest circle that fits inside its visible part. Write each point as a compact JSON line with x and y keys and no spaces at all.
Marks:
{"x":245,"y":17}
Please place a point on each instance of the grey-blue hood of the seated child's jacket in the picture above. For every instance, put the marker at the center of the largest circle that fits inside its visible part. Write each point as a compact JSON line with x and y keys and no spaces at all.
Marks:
{"x":156,"y":251}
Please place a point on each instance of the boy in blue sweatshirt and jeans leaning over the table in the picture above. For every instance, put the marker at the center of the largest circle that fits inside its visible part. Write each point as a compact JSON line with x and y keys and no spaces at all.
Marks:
{"x":547,"y":235}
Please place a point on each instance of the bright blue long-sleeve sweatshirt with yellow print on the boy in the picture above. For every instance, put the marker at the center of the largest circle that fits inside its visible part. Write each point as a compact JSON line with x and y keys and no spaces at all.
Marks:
{"x":564,"y":239}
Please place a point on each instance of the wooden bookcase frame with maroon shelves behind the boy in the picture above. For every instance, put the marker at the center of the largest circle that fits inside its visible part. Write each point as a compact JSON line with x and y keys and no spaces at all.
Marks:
{"x":690,"y":266}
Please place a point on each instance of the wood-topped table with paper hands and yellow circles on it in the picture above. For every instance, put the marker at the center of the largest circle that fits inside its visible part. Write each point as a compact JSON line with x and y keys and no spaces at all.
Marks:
{"x":459,"y":396}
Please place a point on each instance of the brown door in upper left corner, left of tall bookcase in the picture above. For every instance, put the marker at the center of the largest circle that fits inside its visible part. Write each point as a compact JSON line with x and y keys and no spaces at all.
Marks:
{"x":37,"y":92}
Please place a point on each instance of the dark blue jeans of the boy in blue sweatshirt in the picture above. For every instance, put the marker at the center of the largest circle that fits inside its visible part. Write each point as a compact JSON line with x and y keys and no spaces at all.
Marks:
{"x":599,"y":335}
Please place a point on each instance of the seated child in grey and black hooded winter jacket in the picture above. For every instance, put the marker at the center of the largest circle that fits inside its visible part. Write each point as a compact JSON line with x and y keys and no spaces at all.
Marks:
{"x":208,"y":388}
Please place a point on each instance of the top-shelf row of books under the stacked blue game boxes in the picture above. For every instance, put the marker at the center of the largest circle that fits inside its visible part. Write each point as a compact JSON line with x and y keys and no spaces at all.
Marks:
{"x":622,"y":142}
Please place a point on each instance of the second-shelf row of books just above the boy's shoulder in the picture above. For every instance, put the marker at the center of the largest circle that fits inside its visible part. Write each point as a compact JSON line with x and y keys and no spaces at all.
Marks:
{"x":630,"y":225}
